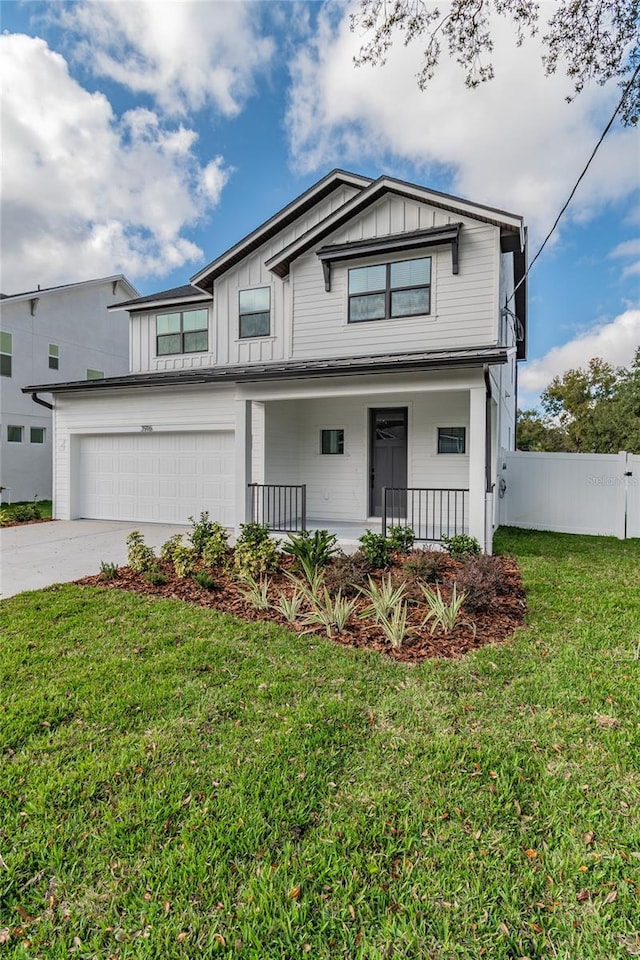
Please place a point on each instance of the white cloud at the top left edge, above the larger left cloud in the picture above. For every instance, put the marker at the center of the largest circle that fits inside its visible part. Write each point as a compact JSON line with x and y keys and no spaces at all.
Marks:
{"x":186,"y":55}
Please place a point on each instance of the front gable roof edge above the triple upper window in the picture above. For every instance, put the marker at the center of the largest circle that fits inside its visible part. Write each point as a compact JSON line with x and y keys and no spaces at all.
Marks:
{"x":509,"y":222}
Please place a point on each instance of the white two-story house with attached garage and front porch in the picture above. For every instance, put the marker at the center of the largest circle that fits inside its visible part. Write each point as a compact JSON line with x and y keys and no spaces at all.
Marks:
{"x":350,"y":363}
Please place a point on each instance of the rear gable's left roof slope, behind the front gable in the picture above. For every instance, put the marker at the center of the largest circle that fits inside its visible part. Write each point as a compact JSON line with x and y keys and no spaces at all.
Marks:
{"x":327,"y":185}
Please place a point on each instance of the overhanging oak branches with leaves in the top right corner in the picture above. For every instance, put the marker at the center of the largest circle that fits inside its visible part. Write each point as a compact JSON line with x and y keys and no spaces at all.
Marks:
{"x":591,"y":40}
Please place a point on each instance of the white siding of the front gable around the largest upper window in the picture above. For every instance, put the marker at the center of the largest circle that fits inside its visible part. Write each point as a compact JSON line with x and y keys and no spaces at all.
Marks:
{"x":464,"y":307}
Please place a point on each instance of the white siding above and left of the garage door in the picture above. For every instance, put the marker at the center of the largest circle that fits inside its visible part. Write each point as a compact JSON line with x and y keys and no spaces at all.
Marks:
{"x":120,"y":412}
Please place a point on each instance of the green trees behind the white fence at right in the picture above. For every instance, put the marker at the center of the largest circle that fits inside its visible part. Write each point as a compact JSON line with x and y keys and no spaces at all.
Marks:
{"x":592,"y":410}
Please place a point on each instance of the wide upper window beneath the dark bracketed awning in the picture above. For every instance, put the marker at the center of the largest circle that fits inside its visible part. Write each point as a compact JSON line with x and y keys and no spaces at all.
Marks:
{"x":386,"y":291}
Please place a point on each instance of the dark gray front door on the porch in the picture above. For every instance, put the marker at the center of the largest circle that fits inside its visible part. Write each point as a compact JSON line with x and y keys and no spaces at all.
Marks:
{"x":387,"y":453}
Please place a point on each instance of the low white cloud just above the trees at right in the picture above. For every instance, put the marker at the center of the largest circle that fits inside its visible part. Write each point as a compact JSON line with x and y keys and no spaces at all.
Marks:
{"x":615,"y":341}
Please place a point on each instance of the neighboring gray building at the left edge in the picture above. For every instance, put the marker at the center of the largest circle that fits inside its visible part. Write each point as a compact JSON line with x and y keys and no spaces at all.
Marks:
{"x":63,"y":332}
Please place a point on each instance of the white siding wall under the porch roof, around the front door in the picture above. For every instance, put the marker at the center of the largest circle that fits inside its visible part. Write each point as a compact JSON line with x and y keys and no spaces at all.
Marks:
{"x":337,"y":485}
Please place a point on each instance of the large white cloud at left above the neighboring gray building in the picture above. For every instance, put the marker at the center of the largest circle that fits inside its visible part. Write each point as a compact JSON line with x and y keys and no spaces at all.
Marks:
{"x":86,"y":193}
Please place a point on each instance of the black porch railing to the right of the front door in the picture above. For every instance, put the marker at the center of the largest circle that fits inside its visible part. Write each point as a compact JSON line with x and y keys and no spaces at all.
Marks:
{"x":431,"y":513}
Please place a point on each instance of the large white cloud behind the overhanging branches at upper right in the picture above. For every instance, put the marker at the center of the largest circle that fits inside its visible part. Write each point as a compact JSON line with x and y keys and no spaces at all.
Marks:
{"x":513,"y":142}
